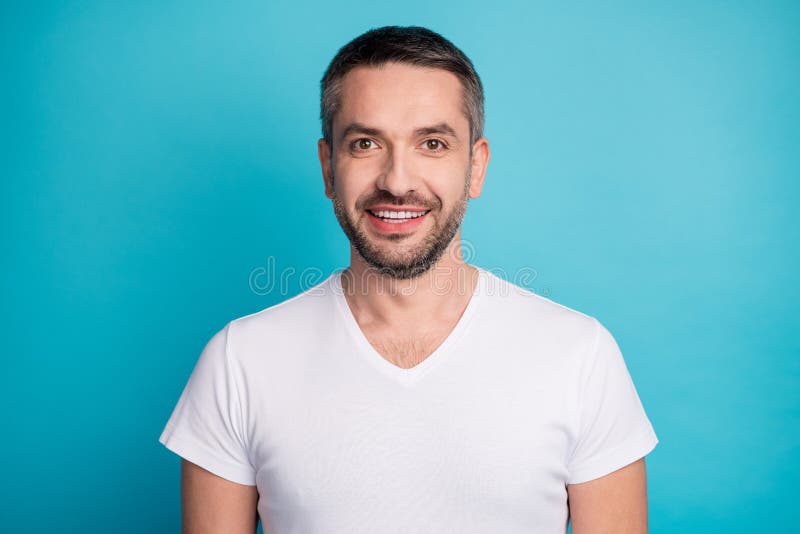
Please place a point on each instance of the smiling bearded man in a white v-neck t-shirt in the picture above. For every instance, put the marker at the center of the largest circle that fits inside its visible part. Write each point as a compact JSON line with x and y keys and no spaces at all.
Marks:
{"x":412,"y":392}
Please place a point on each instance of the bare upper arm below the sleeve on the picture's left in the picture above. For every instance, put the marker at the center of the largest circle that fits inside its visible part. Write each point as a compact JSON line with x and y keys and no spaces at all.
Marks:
{"x":213,"y":504}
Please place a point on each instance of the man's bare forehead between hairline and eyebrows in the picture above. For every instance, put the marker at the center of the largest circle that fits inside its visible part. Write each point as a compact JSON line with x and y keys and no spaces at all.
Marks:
{"x":400,"y":97}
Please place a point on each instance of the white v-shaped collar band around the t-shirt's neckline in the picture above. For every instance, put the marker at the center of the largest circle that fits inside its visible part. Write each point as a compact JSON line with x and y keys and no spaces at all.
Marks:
{"x":410,"y":376}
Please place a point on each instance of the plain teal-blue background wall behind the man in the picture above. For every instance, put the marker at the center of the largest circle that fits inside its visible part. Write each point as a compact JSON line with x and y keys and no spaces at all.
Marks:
{"x":155,"y":154}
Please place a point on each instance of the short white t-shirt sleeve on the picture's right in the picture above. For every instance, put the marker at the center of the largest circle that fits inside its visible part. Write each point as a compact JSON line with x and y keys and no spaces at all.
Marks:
{"x":613,"y":428}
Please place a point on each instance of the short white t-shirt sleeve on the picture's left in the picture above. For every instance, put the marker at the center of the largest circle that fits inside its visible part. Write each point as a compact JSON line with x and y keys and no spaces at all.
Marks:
{"x":207,"y":426}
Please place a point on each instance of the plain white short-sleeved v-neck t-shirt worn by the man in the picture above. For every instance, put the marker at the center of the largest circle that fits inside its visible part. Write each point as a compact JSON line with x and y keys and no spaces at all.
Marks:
{"x":524,"y":397}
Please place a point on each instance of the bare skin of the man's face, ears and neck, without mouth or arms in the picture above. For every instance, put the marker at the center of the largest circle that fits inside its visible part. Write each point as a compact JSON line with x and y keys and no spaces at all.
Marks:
{"x":390,"y":153}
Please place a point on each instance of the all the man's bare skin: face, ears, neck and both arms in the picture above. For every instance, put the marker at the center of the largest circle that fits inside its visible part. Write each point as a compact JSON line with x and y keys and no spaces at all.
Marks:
{"x":379,"y":151}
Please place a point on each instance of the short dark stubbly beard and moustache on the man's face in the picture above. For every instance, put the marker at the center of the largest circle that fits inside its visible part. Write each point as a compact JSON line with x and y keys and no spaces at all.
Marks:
{"x":413,"y":261}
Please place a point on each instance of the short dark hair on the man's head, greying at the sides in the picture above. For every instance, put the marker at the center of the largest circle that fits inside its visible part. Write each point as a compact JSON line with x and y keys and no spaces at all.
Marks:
{"x":413,"y":45}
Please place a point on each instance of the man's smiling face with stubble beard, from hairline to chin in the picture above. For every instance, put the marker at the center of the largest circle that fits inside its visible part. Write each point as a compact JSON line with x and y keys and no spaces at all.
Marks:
{"x":399,"y":175}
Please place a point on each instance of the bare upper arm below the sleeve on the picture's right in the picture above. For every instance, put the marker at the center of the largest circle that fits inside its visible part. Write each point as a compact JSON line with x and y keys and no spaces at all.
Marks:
{"x":614,"y":503}
